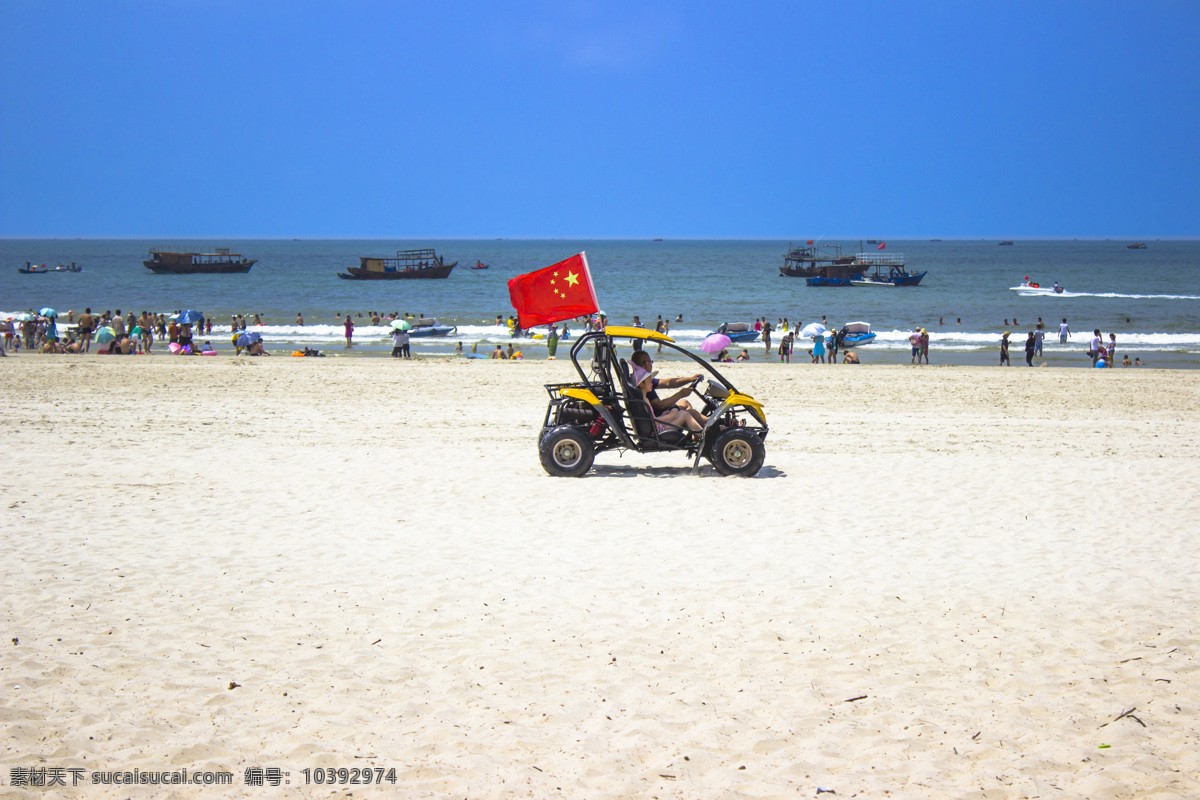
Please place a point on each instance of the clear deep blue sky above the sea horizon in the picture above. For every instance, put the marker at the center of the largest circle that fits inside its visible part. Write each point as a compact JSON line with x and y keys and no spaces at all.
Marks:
{"x":212,"y":118}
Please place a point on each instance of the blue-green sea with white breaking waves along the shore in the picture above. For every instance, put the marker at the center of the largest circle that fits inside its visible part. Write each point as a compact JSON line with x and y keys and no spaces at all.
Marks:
{"x":1150,"y":298}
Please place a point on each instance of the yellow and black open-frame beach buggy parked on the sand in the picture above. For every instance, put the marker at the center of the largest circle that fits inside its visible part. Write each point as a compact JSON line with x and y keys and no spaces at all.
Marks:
{"x":605,"y":411}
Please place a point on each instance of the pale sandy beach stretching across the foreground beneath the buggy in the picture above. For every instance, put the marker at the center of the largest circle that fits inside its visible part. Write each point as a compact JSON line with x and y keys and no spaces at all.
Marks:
{"x":947,"y":582}
